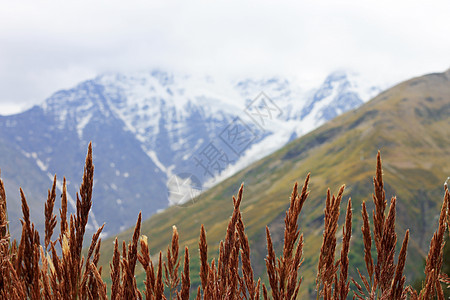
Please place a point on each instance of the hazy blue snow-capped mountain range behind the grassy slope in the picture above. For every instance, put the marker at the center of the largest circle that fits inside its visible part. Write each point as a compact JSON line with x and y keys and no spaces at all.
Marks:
{"x":159,"y":138}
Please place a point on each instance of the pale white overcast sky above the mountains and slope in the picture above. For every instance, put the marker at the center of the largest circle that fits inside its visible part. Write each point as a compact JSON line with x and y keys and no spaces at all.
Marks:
{"x":49,"y":45}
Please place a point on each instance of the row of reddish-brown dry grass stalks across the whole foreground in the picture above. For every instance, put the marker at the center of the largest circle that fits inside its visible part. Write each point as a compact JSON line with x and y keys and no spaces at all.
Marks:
{"x":30,"y":270}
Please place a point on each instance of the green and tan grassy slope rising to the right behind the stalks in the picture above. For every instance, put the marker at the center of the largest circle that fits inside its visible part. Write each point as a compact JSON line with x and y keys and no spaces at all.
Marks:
{"x":408,"y":123}
